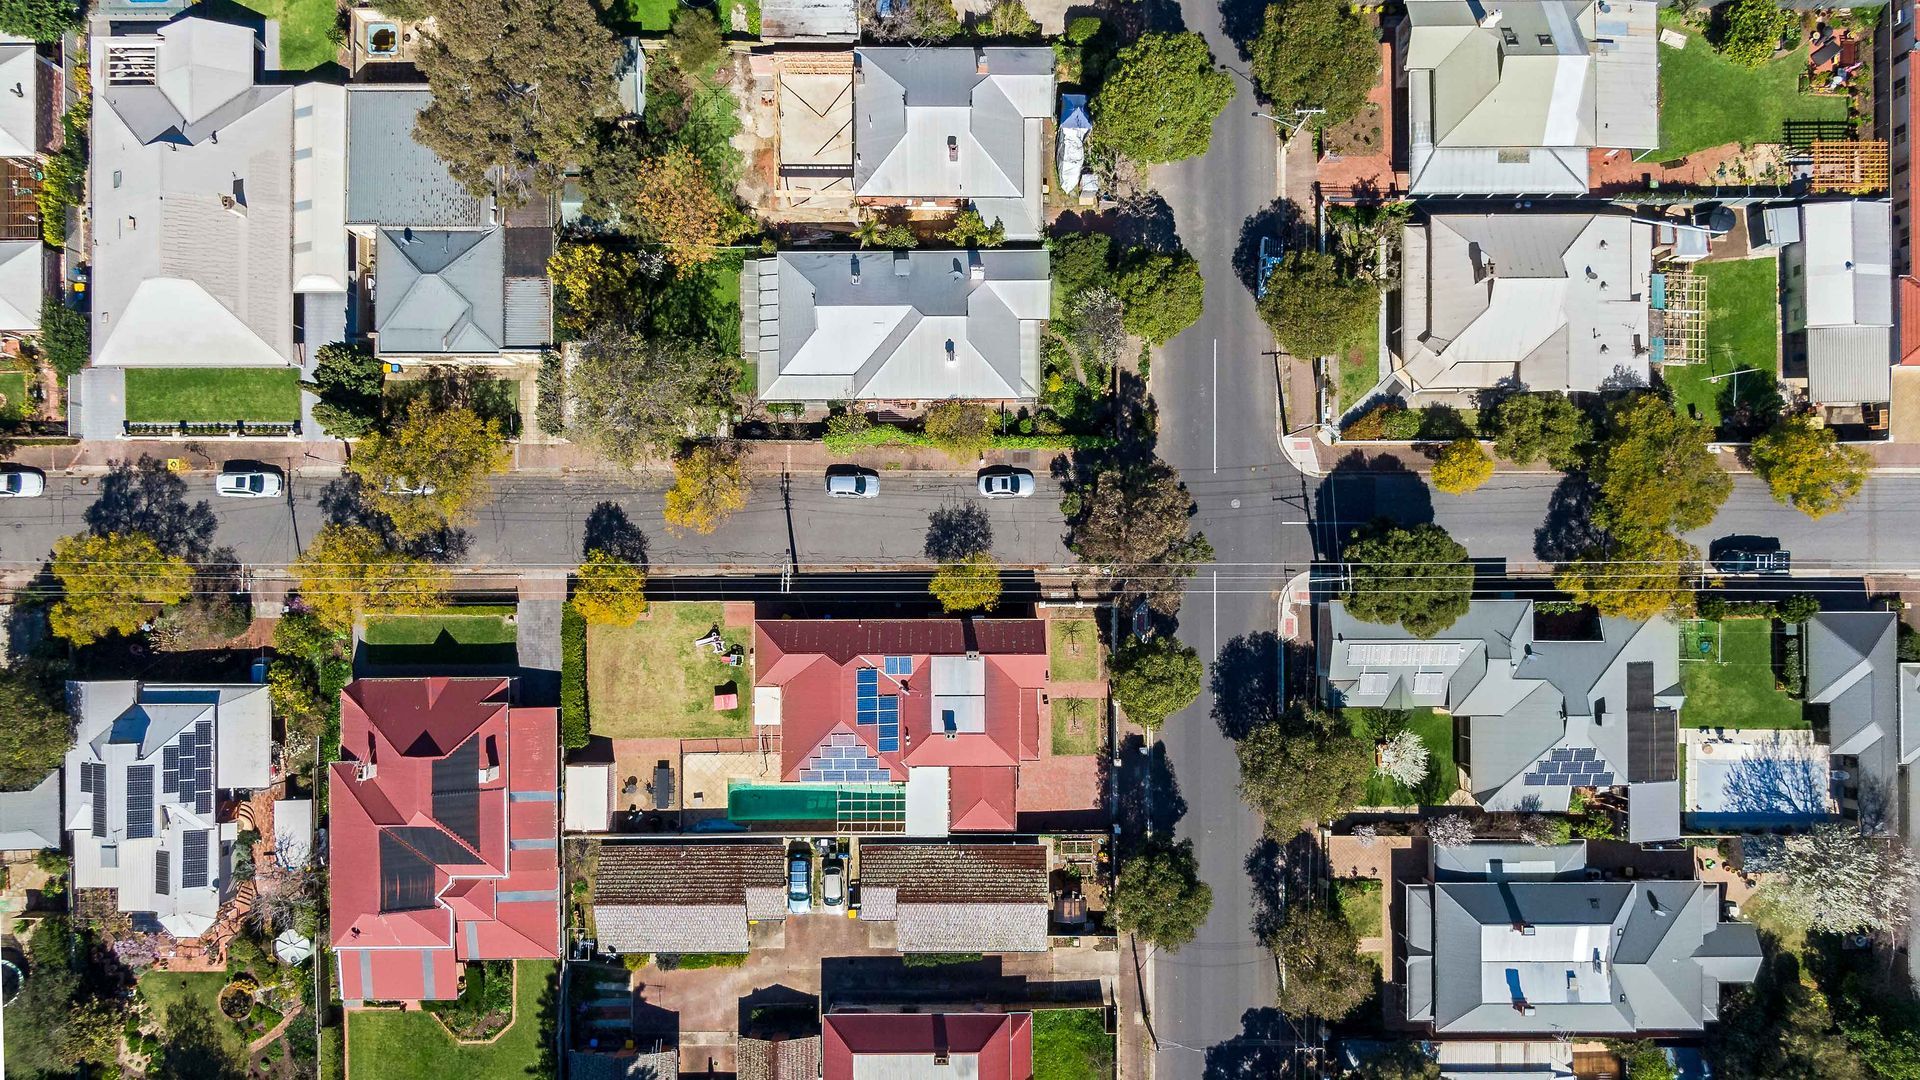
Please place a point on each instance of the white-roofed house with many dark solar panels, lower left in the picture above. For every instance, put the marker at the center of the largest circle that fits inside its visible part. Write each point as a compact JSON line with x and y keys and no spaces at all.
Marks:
{"x":145,"y":789}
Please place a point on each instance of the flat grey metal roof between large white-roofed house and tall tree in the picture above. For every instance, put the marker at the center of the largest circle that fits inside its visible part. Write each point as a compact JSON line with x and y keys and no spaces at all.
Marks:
{"x":393,"y":180}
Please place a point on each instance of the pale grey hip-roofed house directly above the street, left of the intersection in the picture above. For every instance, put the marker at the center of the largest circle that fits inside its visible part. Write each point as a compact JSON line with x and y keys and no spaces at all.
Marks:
{"x":898,"y":326}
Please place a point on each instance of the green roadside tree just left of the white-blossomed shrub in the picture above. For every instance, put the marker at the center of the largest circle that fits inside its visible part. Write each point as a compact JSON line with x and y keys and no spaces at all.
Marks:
{"x":1299,"y":773}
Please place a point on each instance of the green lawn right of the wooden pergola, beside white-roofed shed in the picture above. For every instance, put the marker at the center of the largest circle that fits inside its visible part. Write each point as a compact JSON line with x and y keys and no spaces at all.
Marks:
{"x":1742,"y":333}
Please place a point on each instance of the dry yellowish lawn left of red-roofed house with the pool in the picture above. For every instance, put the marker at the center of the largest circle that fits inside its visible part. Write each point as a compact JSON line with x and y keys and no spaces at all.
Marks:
{"x":650,"y":681}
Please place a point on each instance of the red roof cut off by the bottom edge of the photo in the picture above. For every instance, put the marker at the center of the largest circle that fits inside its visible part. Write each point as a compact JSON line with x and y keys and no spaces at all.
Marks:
{"x":999,"y":1043}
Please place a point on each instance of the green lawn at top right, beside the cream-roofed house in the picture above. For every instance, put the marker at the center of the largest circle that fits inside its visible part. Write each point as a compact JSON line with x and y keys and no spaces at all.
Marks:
{"x":1708,"y":101}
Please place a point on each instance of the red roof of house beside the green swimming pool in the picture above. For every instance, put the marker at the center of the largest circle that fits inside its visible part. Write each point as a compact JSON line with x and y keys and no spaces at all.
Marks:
{"x":815,"y":662}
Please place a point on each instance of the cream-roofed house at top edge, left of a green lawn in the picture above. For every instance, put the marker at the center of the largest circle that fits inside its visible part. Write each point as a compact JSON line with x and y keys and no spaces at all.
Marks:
{"x":1514,"y":99}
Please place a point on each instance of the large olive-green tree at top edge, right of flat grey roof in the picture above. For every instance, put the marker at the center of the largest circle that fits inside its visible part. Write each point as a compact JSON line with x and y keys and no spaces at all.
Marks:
{"x":519,"y":87}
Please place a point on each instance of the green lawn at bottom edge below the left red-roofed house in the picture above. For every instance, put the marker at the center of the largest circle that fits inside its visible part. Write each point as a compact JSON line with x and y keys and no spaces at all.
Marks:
{"x":416,"y":1046}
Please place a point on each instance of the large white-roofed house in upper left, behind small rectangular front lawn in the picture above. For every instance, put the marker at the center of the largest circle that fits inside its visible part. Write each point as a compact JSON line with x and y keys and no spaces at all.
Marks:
{"x":216,"y":203}
